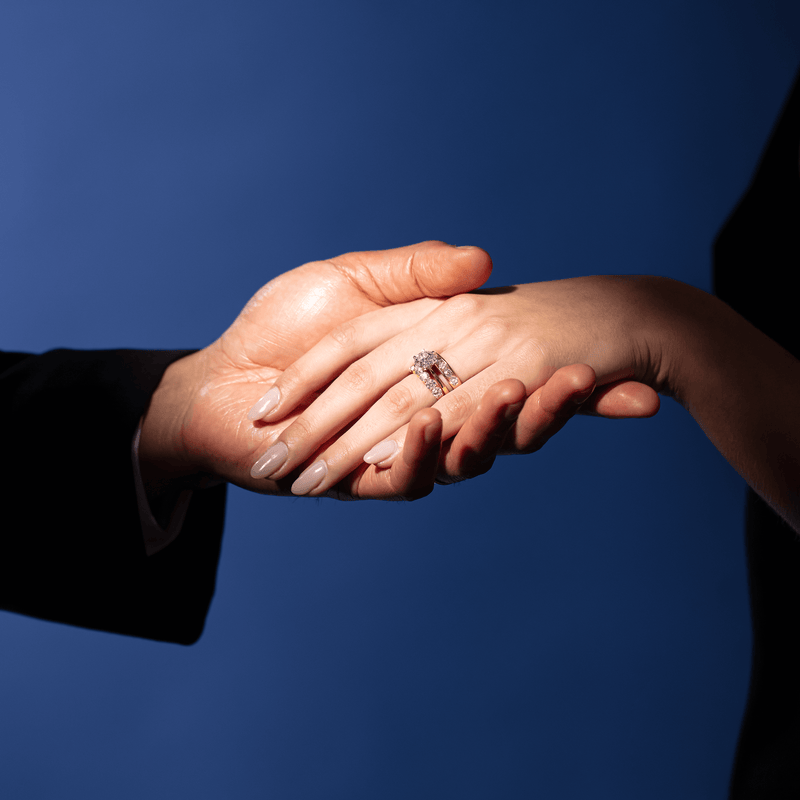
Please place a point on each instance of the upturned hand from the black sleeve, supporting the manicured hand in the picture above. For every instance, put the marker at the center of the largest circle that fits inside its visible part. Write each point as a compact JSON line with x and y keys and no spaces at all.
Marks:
{"x":196,"y":428}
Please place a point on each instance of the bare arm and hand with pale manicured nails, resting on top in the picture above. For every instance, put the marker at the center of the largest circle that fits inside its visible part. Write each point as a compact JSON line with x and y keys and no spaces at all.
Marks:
{"x":679,"y":341}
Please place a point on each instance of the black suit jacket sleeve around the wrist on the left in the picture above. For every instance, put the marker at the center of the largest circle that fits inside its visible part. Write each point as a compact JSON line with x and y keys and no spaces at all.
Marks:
{"x":71,"y":542}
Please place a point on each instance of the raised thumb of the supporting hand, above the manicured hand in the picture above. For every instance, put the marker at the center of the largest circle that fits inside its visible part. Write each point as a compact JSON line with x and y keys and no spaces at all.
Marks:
{"x":428,"y":269}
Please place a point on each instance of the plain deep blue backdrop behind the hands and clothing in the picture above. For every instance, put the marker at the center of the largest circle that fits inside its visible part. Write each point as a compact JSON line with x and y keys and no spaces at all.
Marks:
{"x":580,"y":626}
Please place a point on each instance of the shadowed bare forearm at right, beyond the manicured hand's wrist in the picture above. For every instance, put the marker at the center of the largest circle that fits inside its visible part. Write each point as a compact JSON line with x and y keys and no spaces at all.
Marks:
{"x":742,"y":388}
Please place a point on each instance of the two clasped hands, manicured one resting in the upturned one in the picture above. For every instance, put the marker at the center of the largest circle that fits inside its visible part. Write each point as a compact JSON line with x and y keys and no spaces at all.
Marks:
{"x":313,"y":376}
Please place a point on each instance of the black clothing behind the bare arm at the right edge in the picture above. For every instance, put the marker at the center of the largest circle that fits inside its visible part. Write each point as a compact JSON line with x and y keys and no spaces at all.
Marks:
{"x":756,"y":261}
